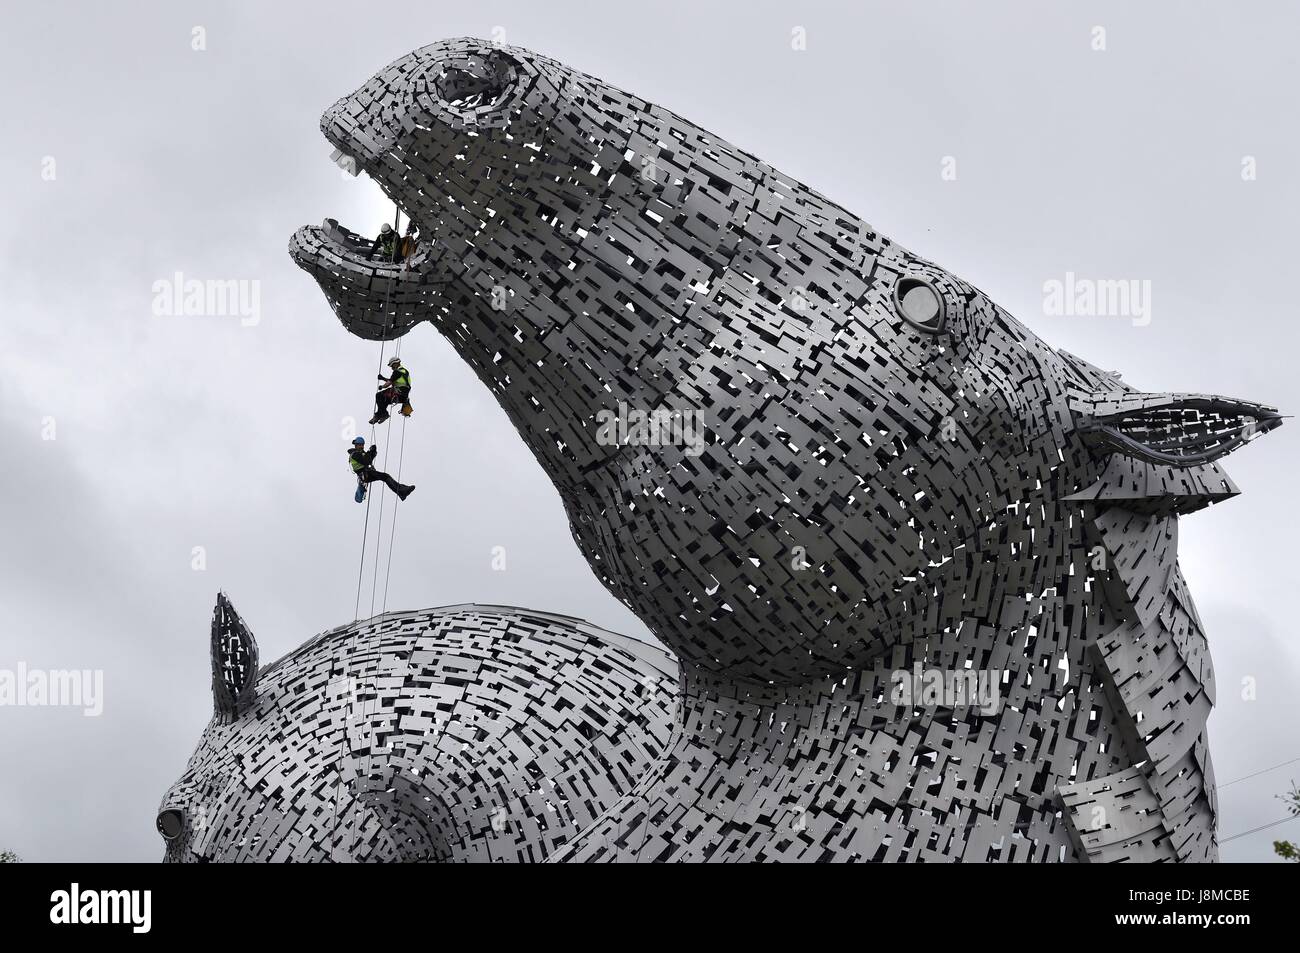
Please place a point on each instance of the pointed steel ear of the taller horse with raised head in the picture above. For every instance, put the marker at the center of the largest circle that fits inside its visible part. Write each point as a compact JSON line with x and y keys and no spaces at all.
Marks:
{"x":1169,"y":430}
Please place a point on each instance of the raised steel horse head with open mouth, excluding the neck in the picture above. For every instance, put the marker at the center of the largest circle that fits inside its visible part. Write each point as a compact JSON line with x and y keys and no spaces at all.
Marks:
{"x":882,"y":444}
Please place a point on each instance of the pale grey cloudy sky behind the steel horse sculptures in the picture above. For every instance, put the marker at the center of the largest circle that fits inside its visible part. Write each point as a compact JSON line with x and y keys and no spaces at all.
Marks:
{"x":154,"y":460}
